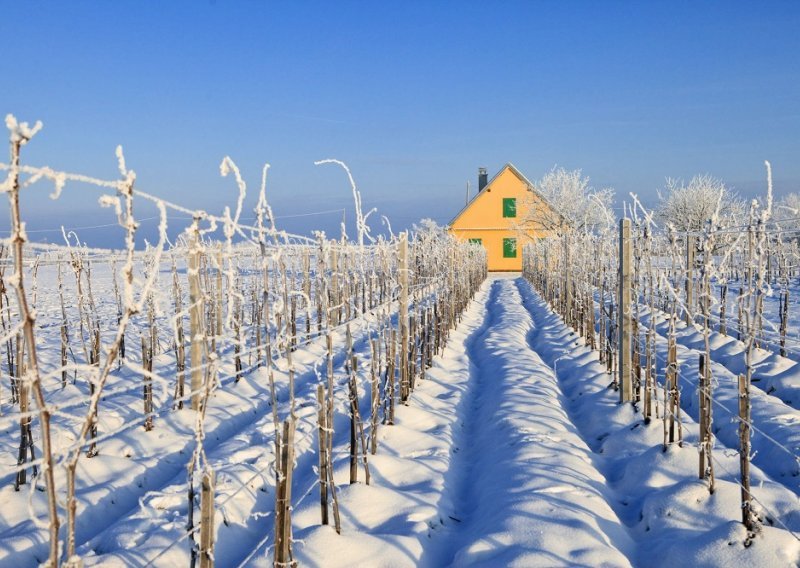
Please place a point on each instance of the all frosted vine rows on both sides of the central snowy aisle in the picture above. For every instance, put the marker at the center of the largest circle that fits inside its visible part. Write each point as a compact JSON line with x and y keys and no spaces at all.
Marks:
{"x":156,"y":335}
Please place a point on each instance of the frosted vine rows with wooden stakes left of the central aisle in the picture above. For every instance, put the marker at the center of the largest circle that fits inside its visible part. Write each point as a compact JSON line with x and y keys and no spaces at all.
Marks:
{"x":247,"y":301}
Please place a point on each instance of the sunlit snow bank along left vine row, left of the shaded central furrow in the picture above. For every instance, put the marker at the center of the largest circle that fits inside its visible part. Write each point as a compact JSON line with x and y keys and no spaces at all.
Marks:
{"x":389,"y":522}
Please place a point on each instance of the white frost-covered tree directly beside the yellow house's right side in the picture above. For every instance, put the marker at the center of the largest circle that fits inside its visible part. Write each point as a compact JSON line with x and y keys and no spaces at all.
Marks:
{"x":571,"y":199}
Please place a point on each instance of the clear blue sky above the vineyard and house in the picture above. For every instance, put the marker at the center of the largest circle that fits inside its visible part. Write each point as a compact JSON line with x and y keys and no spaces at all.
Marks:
{"x":414,"y":96}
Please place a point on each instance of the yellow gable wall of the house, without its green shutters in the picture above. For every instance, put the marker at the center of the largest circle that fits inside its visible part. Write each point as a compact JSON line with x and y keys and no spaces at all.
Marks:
{"x":483,"y":219}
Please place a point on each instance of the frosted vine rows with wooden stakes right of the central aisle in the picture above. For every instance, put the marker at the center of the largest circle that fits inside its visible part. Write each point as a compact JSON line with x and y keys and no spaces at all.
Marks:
{"x":621,"y":290}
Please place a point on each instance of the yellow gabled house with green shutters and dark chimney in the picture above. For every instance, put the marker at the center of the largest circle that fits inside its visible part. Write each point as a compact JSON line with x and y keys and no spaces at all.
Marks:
{"x":500,"y":218}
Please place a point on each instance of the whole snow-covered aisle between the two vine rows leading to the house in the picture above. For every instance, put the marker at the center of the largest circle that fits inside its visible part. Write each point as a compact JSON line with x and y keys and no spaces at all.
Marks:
{"x":540,"y":466}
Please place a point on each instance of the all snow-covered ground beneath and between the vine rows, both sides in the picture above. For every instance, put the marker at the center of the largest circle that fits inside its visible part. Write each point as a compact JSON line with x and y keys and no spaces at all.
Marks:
{"x":512,"y":451}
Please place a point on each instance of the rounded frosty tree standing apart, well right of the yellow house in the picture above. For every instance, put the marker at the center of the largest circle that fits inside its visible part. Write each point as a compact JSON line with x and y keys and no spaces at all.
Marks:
{"x":689,"y":207}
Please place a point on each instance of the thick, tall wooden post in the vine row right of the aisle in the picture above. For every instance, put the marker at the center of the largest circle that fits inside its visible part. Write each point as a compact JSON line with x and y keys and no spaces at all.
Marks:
{"x":624,"y":311}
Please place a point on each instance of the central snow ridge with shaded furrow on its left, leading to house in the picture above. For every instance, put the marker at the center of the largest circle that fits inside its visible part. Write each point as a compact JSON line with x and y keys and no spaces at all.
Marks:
{"x":524,"y":487}
